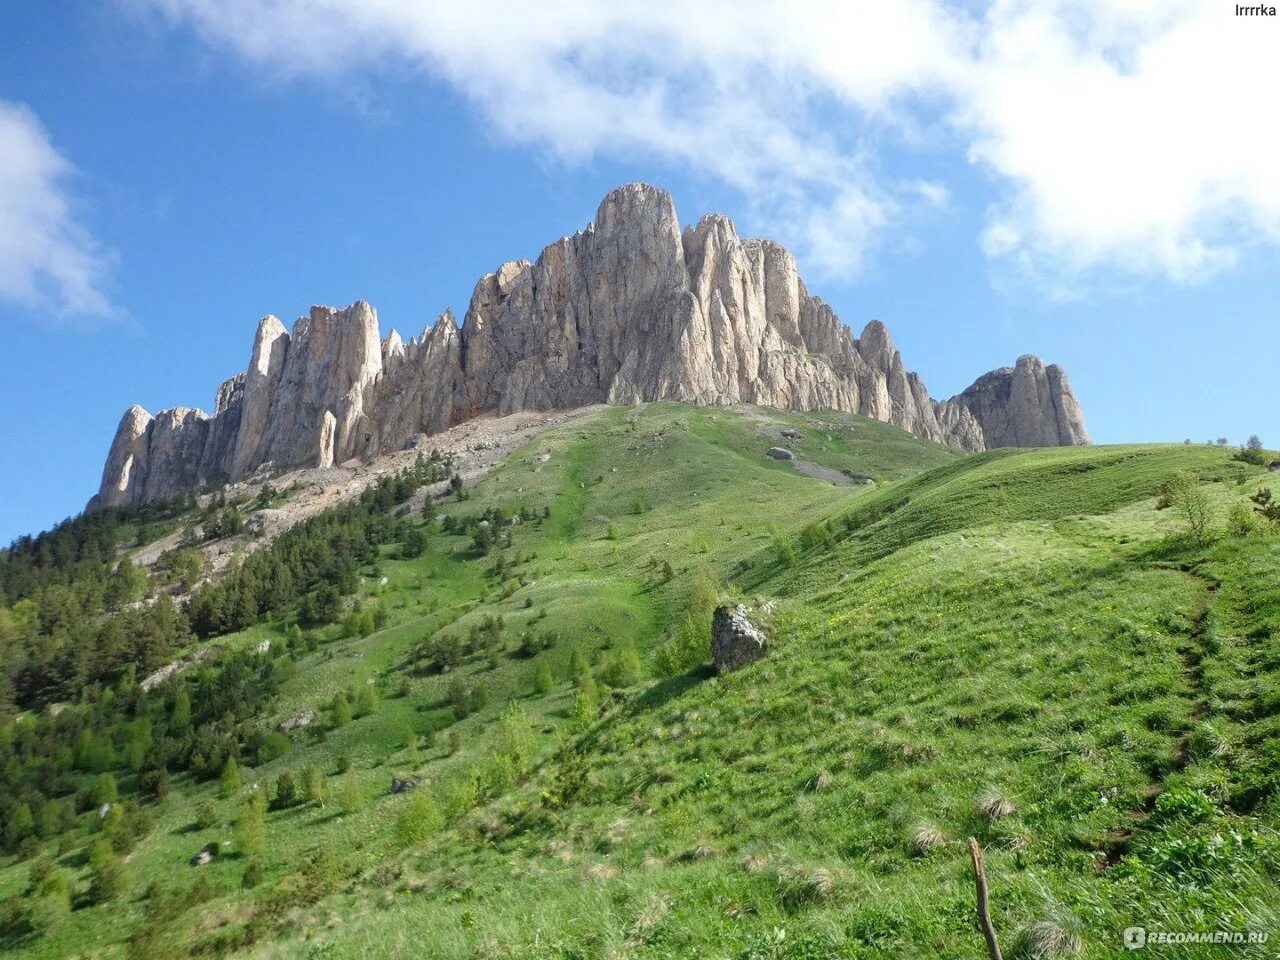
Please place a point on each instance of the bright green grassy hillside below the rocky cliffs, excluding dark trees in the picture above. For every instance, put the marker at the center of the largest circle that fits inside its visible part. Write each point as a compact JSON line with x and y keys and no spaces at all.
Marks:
{"x":1016,"y":646}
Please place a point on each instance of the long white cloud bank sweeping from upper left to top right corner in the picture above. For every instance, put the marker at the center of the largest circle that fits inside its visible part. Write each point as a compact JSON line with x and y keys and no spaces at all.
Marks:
{"x":1118,"y":135}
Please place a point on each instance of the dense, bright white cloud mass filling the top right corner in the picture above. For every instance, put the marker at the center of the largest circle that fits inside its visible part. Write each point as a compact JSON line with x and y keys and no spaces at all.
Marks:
{"x":1133,"y":140}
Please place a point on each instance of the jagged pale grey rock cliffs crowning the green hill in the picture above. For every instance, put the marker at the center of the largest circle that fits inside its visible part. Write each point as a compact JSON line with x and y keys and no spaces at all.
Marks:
{"x":632,"y":309}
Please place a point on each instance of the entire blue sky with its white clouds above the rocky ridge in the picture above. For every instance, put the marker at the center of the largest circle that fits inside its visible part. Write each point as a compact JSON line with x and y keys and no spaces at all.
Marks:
{"x":988,"y":180}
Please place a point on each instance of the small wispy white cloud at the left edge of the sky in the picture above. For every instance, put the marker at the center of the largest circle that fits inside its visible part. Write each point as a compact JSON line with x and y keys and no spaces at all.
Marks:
{"x":49,"y":263}
